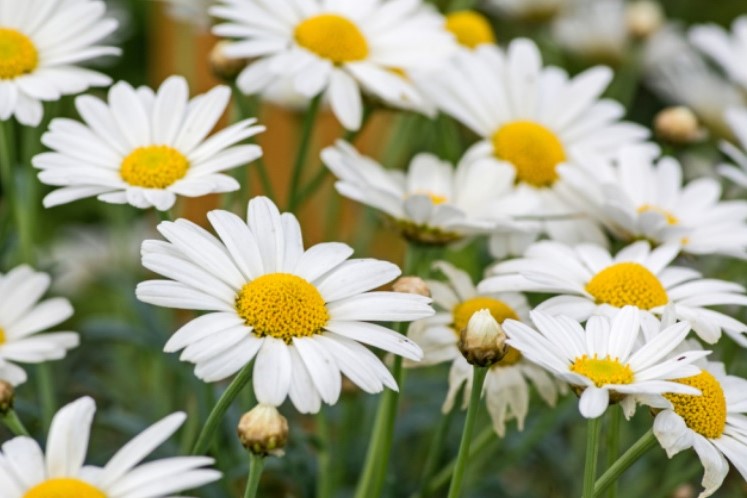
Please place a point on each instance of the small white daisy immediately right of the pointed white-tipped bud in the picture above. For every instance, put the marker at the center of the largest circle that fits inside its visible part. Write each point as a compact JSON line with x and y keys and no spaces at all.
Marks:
{"x":603,"y":361}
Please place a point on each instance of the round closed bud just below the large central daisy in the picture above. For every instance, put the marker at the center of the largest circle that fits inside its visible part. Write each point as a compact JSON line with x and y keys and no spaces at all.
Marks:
{"x":263,"y":430}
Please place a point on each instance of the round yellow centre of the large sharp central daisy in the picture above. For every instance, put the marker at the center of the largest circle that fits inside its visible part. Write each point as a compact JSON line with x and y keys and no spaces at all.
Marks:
{"x":283,"y":306}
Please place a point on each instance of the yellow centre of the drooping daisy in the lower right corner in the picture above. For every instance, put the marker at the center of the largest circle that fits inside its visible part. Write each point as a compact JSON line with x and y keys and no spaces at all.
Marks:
{"x":705,"y":414}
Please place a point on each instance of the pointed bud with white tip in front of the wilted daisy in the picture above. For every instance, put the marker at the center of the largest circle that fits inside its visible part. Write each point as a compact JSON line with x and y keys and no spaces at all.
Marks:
{"x":482,"y":342}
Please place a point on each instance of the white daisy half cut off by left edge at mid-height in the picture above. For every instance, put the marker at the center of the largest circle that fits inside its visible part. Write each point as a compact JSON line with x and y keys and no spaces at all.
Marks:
{"x":23,"y":317}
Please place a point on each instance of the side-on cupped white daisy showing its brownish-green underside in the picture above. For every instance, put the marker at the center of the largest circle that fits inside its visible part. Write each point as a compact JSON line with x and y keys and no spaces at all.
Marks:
{"x":433,"y":203}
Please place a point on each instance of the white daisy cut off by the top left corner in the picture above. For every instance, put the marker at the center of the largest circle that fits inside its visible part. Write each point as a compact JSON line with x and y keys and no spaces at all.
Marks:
{"x":41,"y":44}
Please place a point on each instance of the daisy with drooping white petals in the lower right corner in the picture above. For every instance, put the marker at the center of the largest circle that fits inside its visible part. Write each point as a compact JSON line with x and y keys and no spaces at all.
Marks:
{"x":714,"y":424}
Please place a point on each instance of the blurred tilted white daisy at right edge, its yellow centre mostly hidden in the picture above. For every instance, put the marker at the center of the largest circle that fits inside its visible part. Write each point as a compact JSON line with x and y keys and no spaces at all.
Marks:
{"x":646,"y":199}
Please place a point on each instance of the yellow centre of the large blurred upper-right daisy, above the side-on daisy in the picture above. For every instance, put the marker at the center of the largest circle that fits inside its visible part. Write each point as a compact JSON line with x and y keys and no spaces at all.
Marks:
{"x":533,"y":150}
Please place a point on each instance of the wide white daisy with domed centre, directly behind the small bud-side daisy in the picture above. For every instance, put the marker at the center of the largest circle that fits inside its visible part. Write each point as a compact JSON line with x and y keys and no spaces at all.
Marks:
{"x":589,"y":281}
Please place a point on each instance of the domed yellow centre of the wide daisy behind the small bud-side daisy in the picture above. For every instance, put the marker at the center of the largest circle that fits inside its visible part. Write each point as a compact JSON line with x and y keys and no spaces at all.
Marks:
{"x":627,"y":284}
